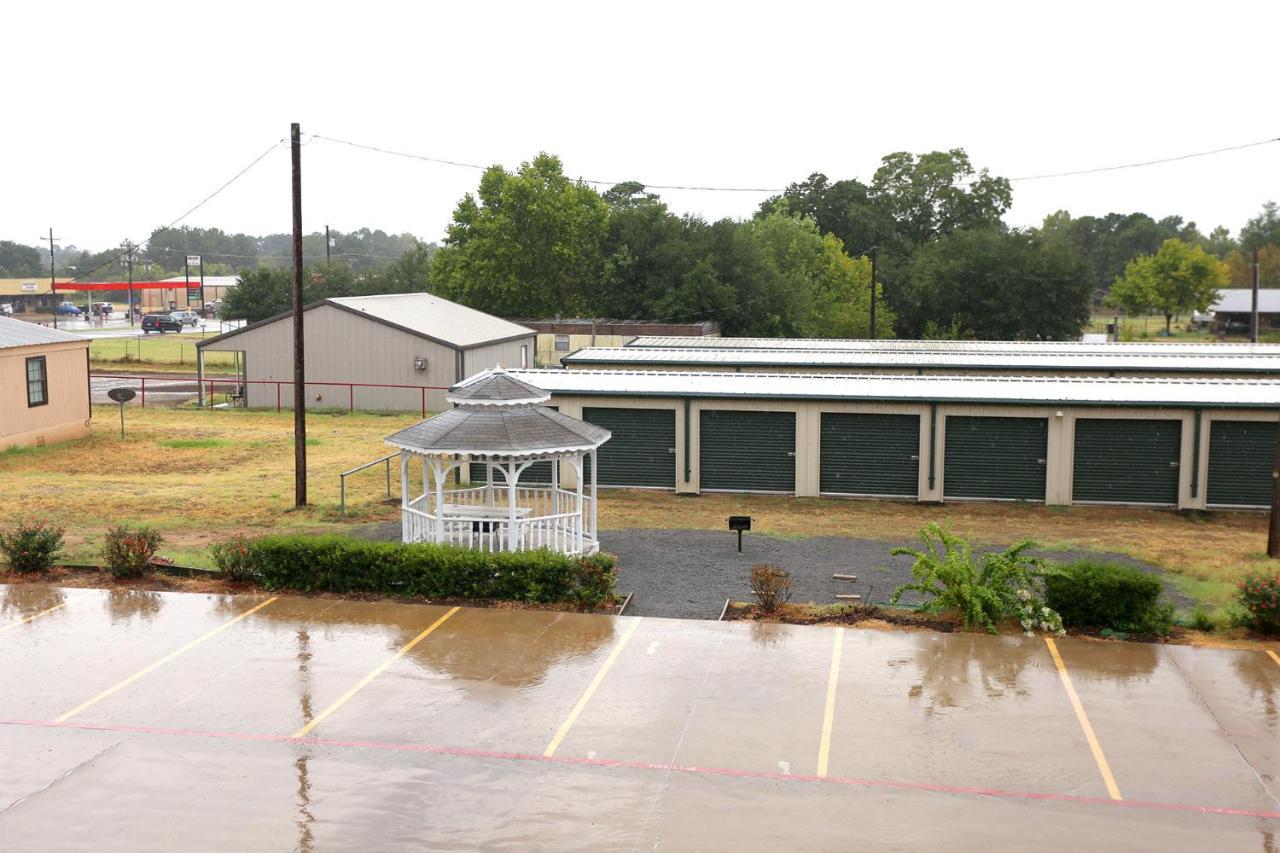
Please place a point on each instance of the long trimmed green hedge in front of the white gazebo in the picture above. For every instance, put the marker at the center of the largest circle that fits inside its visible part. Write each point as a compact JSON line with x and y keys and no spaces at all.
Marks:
{"x":342,"y":565}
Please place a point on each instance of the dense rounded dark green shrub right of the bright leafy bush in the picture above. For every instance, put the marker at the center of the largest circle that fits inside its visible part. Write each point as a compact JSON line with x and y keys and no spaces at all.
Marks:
{"x":1109,"y":596}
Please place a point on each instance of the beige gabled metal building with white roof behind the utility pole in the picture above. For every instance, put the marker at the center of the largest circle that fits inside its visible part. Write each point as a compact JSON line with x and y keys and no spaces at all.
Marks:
{"x":394,"y":353}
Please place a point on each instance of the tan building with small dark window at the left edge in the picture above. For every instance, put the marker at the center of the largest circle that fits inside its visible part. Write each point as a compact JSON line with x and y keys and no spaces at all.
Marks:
{"x":44,"y":385}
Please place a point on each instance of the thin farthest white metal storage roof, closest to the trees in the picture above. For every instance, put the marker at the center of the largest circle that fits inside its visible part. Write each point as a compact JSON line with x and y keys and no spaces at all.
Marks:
{"x":895,"y":345}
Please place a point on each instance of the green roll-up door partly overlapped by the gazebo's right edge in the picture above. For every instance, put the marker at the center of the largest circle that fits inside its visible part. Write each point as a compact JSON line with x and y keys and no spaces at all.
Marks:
{"x":641,"y":453}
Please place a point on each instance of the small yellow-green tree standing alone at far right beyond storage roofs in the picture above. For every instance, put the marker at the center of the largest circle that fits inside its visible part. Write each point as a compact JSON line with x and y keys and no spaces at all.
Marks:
{"x":1180,"y":279}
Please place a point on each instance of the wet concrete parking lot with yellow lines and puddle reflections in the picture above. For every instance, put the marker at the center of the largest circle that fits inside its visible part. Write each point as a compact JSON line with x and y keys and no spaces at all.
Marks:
{"x":139,"y":720}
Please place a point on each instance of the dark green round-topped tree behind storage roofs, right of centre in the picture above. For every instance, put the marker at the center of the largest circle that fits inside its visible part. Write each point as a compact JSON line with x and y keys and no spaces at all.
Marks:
{"x":995,"y":285}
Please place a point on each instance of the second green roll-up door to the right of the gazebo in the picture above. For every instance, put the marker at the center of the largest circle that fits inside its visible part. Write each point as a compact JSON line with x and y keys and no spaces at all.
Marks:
{"x":748,"y":451}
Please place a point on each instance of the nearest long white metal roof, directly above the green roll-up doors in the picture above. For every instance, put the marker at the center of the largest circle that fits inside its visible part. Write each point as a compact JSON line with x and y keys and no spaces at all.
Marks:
{"x":1089,"y":391}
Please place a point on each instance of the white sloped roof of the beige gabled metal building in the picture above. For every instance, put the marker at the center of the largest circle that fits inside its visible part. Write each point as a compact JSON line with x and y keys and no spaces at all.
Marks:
{"x":436,"y":317}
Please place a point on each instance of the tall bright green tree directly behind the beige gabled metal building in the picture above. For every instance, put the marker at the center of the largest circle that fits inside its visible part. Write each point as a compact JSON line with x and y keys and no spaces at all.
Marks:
{"x":527,"y":245}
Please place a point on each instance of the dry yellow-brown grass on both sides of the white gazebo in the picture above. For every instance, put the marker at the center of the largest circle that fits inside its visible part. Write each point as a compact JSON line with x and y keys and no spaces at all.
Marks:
{"x":203,"y":476}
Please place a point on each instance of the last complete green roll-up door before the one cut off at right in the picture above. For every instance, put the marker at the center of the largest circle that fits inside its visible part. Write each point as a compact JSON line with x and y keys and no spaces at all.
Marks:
{"x":1127,"y":462}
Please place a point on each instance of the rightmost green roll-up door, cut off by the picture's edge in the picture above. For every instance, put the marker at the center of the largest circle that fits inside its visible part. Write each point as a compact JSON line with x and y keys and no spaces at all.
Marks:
{"x":1241,"y":458}
